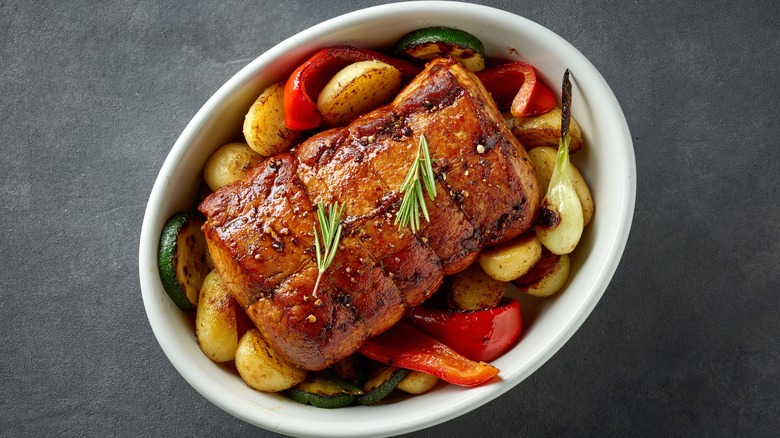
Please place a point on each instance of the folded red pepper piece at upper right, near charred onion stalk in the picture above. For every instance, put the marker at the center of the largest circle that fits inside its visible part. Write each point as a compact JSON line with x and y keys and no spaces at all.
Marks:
{"x":514,"y":86}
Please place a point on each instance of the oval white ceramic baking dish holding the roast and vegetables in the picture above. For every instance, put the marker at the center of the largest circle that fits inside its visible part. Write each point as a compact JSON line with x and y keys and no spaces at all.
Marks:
{"x":607,"y":163}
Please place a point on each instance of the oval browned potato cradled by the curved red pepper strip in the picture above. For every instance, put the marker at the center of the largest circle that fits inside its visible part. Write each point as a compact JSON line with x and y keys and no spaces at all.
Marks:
{"x":357,"y":89}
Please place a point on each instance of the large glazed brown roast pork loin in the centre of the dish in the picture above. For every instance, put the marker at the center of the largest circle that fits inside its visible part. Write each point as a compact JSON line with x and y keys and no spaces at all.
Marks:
{"x":260,"y":230}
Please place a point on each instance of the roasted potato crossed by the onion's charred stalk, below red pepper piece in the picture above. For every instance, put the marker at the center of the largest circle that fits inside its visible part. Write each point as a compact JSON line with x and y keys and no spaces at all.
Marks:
{"x":544,"y":130}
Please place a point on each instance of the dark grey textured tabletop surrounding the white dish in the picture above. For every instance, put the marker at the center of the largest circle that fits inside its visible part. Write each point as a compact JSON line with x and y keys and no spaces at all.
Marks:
{"x":683,"y":343}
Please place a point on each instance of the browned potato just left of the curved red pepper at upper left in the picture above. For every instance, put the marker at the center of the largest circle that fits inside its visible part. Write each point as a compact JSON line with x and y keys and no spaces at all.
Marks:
{"x":264,"y":128}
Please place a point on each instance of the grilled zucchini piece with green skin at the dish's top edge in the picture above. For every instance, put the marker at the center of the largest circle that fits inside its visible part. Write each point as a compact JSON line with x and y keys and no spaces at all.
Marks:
{"x":442,"y":42}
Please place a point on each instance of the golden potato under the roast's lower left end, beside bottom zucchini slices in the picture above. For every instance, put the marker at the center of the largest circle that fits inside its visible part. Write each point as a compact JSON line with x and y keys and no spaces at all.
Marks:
{"x":264,"y":369}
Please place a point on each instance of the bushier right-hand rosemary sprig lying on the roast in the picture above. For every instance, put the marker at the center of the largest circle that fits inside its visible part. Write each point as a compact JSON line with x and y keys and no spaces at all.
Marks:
{"x":421,"y":173}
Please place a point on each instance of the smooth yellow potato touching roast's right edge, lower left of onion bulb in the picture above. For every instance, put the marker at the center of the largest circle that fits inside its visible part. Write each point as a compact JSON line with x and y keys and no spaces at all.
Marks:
{"x":512,"y":259}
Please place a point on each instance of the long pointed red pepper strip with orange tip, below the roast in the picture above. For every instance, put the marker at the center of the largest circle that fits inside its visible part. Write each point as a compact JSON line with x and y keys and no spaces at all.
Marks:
{"x":404,"y":346}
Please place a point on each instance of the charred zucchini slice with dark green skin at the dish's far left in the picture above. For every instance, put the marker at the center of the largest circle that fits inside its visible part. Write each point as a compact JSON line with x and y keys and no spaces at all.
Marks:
{"x":182,"y":259}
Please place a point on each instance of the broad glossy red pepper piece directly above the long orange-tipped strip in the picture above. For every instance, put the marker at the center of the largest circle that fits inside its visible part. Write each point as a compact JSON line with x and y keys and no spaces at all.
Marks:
{"x":481,"y":335}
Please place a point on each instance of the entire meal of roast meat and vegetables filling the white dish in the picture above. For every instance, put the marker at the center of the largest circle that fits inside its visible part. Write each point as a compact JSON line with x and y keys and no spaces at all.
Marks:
{"x":362,"y":239}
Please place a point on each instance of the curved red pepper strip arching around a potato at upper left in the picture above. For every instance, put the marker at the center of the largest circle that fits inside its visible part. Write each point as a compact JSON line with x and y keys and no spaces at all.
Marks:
{"x":304,"y":85}
